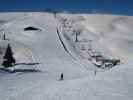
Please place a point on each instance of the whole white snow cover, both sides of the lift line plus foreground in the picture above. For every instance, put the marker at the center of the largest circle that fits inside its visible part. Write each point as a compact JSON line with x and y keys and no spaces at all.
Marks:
{"x":111,"y":35}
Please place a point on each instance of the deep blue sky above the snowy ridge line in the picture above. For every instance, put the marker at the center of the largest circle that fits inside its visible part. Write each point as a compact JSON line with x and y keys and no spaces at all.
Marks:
{"x":114,"y":6}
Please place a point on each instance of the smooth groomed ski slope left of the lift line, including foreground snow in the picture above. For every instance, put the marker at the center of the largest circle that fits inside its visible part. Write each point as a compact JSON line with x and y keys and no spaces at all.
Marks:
{"x":45,"y":47}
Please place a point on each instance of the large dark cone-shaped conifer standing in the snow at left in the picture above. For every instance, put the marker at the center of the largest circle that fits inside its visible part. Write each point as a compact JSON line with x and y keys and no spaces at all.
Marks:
{"x":9,"y":60}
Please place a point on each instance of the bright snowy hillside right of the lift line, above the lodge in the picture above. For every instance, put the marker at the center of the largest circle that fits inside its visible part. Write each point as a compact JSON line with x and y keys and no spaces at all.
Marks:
{"x":110,"y":34}
